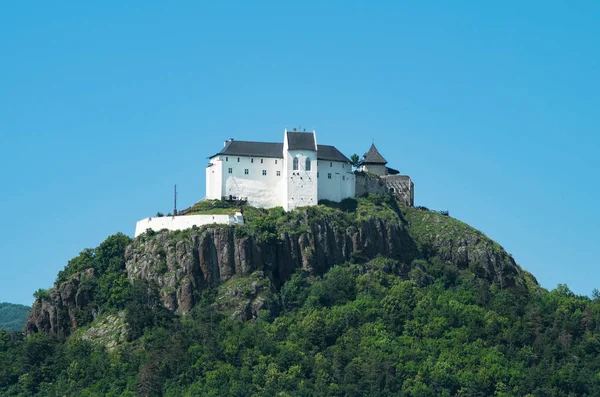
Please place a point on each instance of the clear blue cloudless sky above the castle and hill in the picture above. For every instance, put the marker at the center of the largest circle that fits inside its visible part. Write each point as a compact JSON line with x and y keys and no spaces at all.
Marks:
{"x":492,"y":109}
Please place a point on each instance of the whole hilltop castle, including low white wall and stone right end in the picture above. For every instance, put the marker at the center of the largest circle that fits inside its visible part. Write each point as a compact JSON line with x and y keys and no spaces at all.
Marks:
{"x":296,"y":173}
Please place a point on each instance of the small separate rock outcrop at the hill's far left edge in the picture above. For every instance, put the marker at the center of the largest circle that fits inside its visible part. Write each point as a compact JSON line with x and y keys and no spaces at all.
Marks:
{"x":56,"y":312}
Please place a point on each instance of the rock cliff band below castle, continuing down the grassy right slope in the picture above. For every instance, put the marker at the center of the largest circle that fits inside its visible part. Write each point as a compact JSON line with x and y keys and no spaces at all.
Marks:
{"x":199,"y":258}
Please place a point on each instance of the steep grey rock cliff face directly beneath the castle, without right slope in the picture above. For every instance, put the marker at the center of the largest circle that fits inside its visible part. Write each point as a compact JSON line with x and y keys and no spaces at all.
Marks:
{"x":213,"y":255}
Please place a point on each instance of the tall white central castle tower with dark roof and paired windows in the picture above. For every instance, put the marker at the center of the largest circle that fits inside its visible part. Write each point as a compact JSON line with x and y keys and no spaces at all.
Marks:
{"x":299,"y":169}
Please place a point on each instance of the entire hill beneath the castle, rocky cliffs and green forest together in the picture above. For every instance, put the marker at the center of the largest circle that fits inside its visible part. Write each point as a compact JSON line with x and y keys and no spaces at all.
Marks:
{"x":437,"y":309}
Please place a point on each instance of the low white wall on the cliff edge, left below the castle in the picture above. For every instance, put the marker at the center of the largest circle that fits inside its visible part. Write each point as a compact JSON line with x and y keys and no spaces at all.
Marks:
{"x":185,"y":222}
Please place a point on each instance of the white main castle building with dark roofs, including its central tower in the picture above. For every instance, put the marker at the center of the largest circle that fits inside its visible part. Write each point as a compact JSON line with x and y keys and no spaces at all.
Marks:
{"x":296,"y":173}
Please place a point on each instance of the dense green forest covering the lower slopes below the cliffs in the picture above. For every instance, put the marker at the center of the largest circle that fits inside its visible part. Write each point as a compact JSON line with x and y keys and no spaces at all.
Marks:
{"x":358,"y":330}
